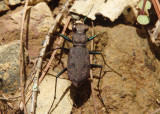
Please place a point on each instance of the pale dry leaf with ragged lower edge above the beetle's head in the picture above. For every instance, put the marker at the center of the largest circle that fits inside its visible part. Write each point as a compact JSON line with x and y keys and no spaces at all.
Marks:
{"x":111,"y":9}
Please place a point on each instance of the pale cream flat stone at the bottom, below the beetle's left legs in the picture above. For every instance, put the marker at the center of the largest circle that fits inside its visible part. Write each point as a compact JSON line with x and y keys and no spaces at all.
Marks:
{"x":63,"y":103}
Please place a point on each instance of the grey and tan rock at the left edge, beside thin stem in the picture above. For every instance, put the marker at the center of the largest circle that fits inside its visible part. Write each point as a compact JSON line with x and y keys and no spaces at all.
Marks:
{"x":9,"y":67}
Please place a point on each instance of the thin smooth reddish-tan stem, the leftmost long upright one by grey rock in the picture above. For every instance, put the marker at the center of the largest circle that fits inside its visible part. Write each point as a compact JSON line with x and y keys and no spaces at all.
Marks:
{"x":22,"y":56}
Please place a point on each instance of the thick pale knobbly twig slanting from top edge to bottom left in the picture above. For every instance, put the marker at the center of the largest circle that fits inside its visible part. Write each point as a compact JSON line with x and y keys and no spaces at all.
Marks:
{"x":40,"y":59}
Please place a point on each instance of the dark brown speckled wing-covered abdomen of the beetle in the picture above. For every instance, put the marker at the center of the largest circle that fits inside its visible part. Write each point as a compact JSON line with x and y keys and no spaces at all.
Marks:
{"x":78,"y":65}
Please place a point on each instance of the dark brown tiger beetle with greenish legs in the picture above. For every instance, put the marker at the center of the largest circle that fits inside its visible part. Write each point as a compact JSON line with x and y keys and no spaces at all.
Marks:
{"x":78,"y":66}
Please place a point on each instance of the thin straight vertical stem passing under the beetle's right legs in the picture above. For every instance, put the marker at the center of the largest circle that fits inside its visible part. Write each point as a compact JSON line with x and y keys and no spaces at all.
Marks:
{"x":91,"y":74}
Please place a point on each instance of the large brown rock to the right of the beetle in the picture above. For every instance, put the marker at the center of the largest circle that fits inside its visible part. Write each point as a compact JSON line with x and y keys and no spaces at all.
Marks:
{"x":130,"y":87}
